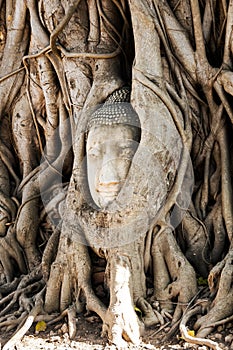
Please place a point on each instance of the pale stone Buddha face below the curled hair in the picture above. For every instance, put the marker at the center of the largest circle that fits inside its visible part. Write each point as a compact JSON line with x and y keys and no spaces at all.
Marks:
{"x":110,"y":150}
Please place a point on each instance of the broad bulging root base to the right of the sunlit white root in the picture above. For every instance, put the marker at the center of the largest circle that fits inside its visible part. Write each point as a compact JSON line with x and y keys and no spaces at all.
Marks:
{"x":174,"y":277}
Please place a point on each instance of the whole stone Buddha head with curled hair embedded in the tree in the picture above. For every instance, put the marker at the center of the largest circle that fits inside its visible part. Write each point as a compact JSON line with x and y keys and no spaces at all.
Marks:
{"x":112,"y":139}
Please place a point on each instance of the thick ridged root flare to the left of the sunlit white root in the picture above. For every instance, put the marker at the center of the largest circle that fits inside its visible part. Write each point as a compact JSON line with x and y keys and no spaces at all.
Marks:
{"x":70,"y":277}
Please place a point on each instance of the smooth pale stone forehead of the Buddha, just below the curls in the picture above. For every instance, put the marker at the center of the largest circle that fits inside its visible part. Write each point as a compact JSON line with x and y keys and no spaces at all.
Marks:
{"x":114,"y":133}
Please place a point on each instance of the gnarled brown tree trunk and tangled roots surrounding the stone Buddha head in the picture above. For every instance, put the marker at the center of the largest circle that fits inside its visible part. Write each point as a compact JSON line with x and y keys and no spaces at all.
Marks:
{"x":59,"y":60}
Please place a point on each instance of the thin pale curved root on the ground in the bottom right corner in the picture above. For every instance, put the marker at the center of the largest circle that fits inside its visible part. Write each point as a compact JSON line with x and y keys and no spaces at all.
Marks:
{"x":195,"y":340}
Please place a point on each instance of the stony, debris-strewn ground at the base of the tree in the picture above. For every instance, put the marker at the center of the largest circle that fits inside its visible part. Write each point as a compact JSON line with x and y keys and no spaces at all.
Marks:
{"x":88,"y":337}
